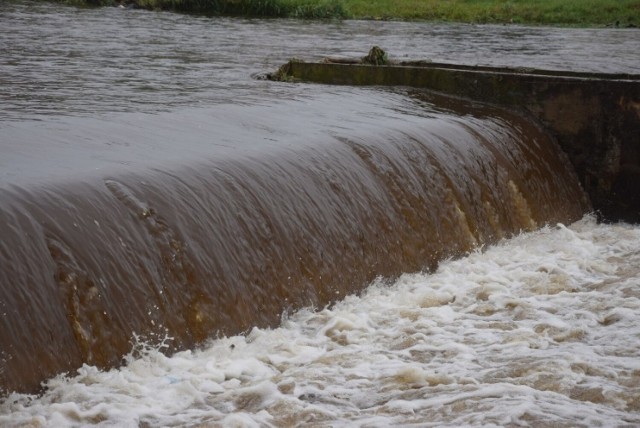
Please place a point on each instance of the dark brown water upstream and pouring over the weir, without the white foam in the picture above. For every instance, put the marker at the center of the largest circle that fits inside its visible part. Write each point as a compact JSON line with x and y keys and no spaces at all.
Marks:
{"x":149,"y":185}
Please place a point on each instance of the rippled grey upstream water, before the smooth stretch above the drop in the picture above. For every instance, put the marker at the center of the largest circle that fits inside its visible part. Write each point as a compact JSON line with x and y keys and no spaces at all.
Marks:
{"x":61,"y":60}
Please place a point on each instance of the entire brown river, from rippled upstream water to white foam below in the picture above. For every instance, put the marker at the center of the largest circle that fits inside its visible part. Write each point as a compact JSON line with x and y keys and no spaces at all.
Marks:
{"x":155,"y":197}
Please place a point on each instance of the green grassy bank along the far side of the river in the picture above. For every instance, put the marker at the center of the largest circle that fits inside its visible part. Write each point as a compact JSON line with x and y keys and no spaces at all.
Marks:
{"x":624,"y":13}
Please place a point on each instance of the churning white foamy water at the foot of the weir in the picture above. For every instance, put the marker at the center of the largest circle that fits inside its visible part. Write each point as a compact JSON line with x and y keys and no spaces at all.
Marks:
{"x":540,"y":330}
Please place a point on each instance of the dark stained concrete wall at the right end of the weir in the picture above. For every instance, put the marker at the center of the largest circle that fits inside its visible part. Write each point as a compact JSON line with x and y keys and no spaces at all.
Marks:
{"x":594,"y":117}
